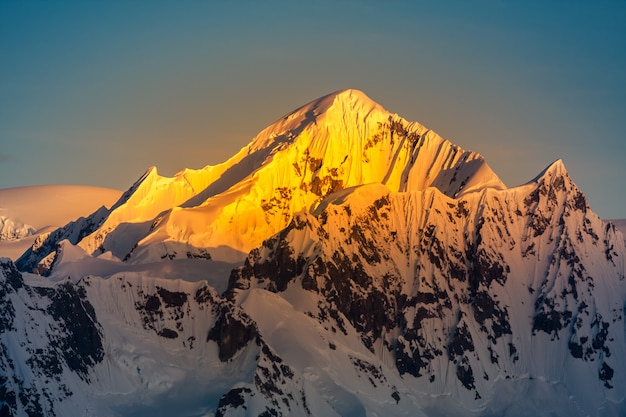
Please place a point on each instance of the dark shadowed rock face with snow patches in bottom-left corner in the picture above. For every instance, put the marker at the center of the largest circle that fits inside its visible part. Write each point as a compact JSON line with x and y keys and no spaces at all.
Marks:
{"x":62,"y":337}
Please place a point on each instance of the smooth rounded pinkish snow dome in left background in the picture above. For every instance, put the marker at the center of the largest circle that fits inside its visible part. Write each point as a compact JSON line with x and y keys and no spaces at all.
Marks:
{"x":27,"y":212}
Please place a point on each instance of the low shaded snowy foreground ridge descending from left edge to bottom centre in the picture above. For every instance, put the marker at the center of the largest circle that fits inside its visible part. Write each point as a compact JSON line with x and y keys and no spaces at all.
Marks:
{"x":133,"y":345}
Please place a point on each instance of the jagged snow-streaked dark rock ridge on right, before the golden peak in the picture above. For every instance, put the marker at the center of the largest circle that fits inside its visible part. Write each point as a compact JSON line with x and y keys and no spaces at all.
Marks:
{"x":511,"y":302}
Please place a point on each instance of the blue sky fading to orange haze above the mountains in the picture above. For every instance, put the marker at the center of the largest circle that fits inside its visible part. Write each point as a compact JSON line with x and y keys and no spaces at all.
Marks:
{"x":95,"y":92}
